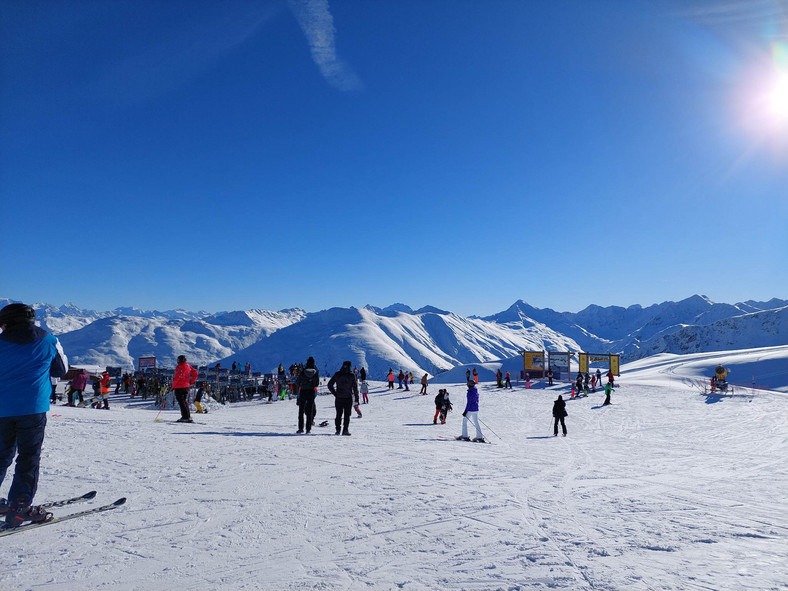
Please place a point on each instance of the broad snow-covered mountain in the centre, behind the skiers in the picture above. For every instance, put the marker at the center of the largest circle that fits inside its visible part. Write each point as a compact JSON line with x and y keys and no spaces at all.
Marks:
{"x":427,"y":342}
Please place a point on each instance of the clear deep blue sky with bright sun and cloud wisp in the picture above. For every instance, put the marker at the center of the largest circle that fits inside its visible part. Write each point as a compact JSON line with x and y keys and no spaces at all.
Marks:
{"x":464,"y":154}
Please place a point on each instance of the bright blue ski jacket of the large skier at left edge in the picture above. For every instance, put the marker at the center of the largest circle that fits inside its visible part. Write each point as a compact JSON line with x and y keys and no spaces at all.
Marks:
{"x":29,"y":356}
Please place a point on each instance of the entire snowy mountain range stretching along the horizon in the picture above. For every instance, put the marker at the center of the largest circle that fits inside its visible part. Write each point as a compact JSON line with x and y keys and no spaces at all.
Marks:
{"x":428,"y":340}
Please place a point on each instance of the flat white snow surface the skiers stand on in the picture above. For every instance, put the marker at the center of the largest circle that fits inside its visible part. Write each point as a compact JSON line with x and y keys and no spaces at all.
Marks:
{"x":667,"y":488}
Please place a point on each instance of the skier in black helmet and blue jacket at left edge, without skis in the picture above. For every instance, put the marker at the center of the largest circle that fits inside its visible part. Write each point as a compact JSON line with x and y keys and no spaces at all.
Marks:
{"x":29,"y":356}
